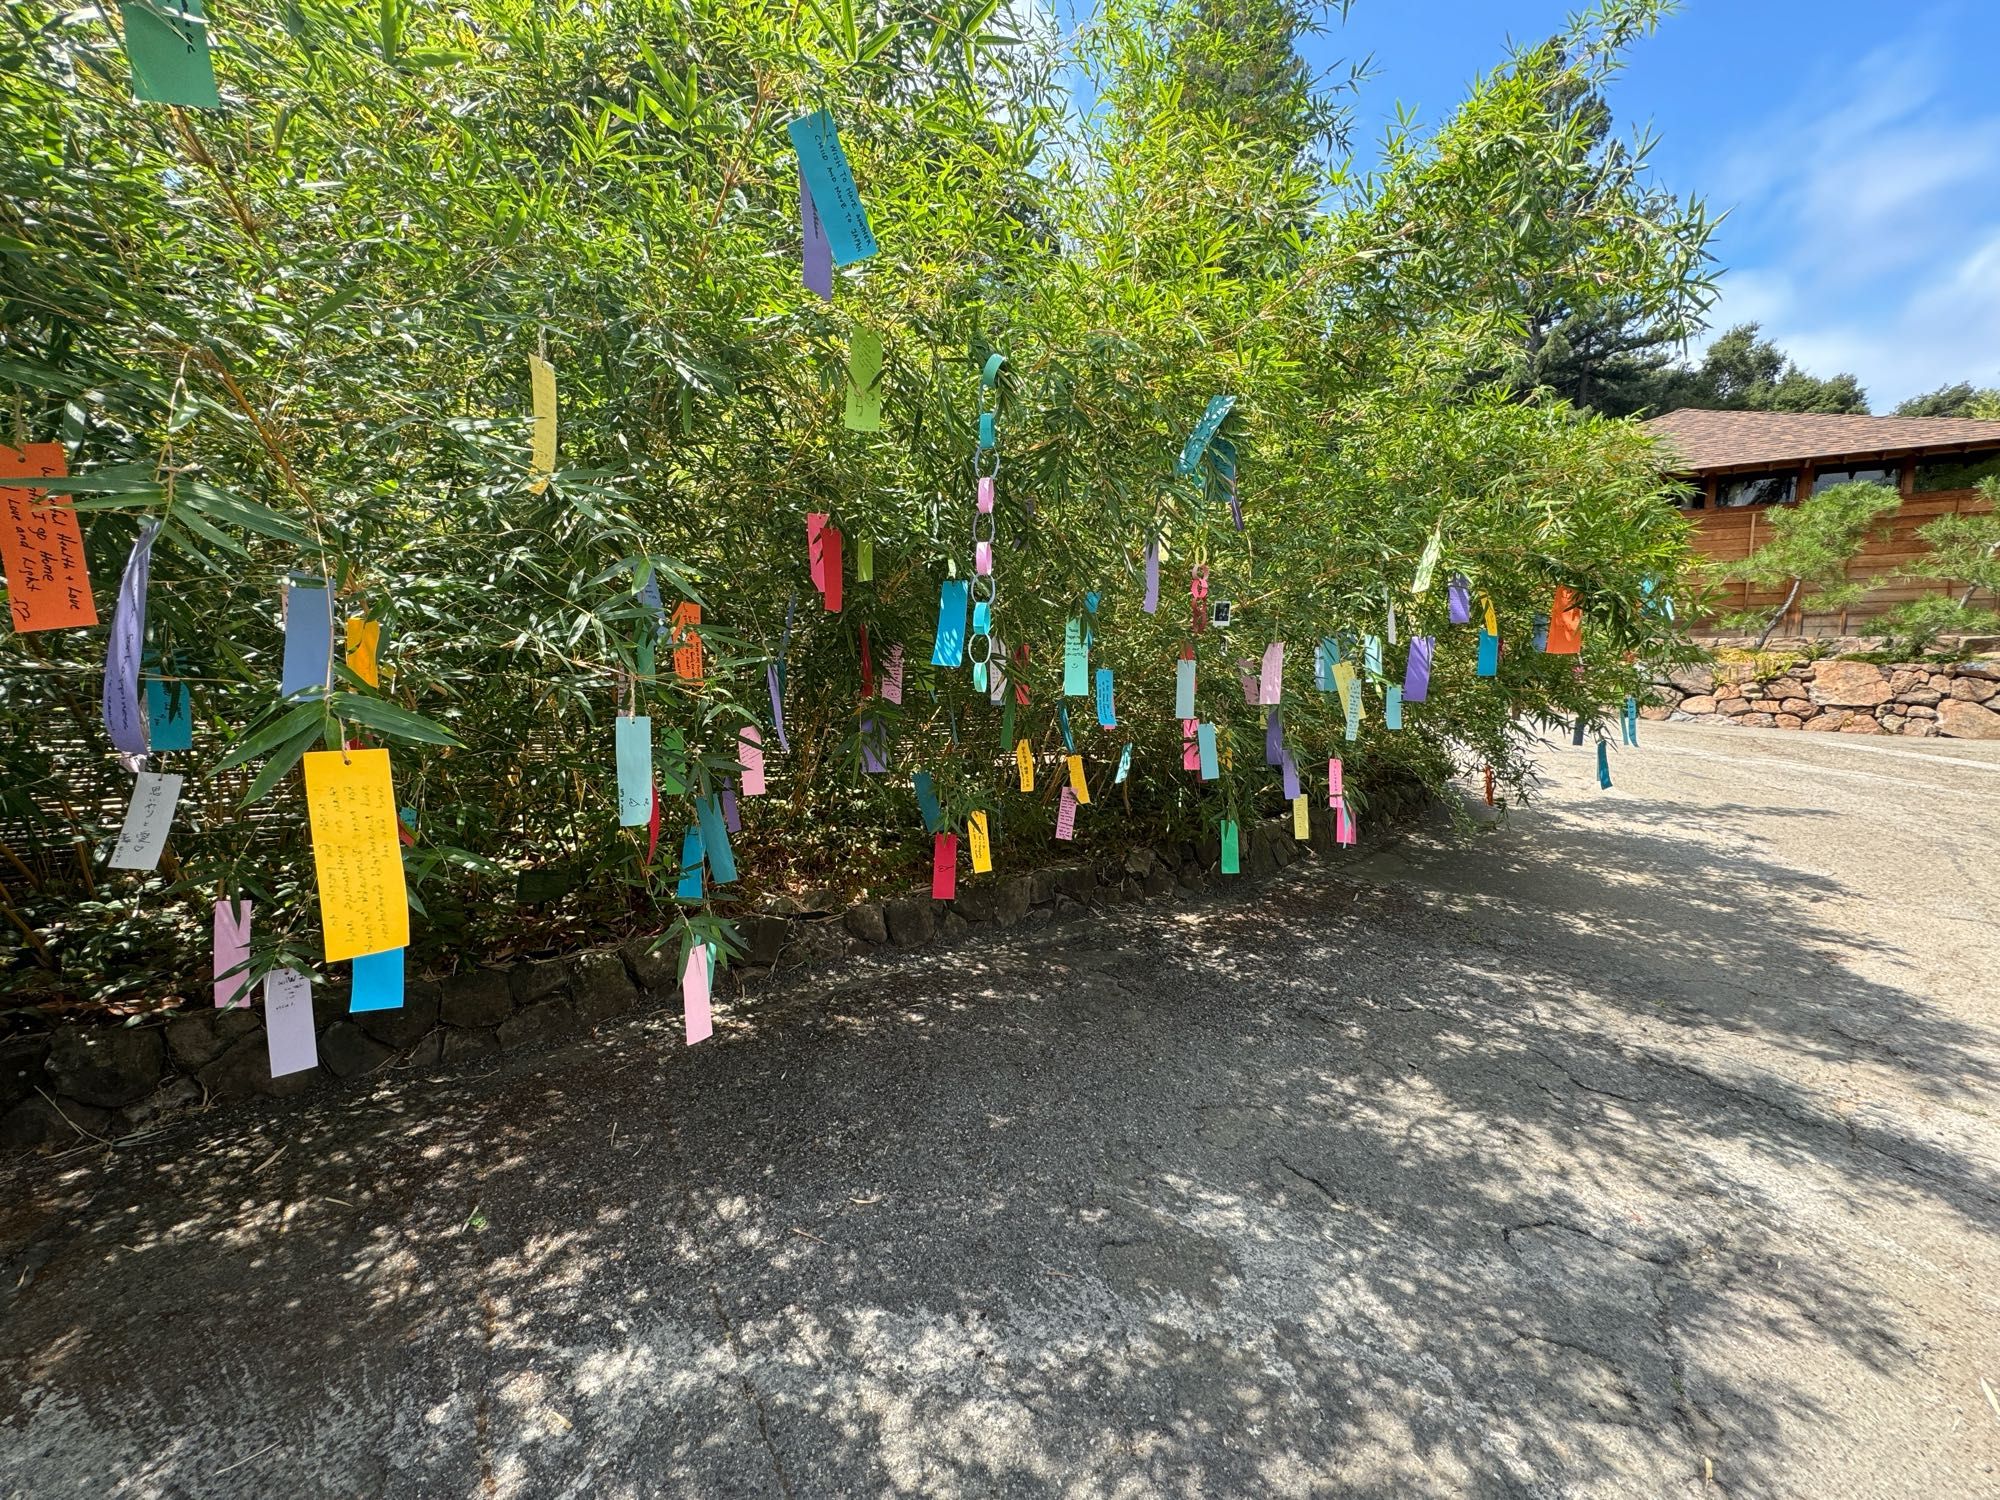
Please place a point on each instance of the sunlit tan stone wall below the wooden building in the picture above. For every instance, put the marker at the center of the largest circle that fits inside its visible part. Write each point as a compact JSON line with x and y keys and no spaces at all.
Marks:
{"x":1917,"y":699}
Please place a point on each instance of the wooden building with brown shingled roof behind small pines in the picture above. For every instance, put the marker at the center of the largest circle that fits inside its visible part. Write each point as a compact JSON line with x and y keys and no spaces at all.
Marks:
{"x":1745,"y":463}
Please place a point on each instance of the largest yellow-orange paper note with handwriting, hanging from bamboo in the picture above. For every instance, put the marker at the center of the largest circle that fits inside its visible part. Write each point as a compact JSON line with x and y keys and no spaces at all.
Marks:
{"x":353,"y":807}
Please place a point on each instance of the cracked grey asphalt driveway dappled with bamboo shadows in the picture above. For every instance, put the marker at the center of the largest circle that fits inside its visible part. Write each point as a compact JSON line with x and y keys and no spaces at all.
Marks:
{"x":1645,"y":1143}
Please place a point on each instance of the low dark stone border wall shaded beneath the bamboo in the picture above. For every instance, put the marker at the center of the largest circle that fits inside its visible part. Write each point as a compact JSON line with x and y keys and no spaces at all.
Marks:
{"x":91,"y":1079}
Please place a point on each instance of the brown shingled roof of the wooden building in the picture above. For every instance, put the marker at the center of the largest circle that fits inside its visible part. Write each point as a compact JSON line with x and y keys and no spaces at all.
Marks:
{"x":1711,"y":441}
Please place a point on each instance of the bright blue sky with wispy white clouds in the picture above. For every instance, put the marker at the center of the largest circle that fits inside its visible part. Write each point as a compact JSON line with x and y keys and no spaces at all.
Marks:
{"x":1855,"y":143}
